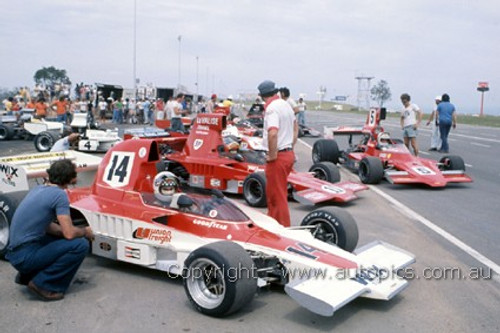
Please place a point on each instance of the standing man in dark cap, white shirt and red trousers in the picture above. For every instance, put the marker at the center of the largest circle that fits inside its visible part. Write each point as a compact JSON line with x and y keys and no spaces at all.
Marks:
{"x":280,"y":134}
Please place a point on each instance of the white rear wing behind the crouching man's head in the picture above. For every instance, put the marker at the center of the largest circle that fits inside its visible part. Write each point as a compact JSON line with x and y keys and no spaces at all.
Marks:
{"x":22,"y":172}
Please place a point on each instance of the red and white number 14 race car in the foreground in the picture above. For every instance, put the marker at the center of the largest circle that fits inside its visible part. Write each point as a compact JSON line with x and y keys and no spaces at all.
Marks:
{"x":224,"y":250}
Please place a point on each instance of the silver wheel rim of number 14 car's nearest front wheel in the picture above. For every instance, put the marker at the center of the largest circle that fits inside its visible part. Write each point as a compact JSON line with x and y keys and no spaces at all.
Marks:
{"x":205,"y":283}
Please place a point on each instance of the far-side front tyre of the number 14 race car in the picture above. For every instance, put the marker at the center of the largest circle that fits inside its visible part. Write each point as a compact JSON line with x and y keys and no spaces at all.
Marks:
{"x":333,"y":226}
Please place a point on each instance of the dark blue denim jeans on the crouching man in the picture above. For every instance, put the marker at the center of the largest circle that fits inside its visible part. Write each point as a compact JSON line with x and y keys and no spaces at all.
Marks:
{"x":51,"y":263}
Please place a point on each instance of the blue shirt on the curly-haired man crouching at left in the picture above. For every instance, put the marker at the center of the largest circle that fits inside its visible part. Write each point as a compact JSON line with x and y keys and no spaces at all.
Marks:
{"x":38,"y":209}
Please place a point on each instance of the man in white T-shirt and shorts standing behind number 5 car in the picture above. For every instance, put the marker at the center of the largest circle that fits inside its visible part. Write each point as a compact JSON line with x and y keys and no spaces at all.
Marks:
{"x":411,"y":116}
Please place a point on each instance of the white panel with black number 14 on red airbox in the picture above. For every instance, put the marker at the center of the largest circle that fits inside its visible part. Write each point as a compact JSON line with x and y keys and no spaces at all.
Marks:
{"x":117,"y":172}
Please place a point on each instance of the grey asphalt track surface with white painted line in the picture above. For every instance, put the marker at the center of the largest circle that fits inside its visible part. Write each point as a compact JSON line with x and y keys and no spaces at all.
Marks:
{"x":109,"y":296}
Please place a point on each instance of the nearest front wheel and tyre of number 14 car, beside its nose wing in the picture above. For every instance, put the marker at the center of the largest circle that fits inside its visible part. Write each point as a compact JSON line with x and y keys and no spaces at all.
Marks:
{"x":219,"y":278}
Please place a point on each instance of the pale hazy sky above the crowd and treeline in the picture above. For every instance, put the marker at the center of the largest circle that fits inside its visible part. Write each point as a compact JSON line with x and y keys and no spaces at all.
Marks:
{"x":421,"y":47}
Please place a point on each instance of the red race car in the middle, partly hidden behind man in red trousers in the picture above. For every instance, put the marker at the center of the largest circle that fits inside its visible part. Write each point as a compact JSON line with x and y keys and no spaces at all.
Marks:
{"x":213,"y":161}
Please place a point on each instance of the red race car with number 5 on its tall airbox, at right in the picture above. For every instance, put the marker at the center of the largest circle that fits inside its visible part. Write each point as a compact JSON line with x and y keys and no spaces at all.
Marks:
{"x":376,"y":156}
